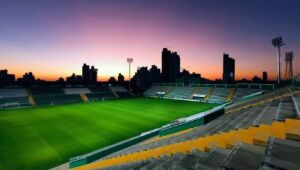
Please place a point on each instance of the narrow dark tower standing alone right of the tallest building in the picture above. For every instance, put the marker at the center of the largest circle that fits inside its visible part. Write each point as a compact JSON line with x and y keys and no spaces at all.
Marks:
{"x":228,"y":69}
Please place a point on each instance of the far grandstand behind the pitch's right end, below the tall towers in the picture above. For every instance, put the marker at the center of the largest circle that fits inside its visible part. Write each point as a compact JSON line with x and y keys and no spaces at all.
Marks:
{"x":212,"y":93}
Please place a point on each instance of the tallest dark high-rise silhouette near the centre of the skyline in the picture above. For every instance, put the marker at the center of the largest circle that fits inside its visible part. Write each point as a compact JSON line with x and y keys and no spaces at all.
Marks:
{"x":170,"y":66}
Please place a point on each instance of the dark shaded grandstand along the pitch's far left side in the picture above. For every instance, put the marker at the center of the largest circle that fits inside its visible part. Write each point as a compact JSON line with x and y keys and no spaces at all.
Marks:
{"x":52,"y":95}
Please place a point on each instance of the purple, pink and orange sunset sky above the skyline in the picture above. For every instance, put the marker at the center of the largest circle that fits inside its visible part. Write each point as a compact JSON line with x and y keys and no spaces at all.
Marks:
{"x":54,"y":38}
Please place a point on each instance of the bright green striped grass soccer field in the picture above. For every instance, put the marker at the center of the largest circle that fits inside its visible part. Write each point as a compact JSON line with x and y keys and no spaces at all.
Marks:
{"x":43,"y":137}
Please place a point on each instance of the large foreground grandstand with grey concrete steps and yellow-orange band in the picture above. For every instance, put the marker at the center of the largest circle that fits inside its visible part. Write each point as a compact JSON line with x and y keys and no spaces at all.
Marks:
{"x":259,"y":133}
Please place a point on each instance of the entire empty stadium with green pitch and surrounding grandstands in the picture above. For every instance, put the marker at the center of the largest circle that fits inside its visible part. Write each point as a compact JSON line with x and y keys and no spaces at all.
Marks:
{"x":102,"y":127}
